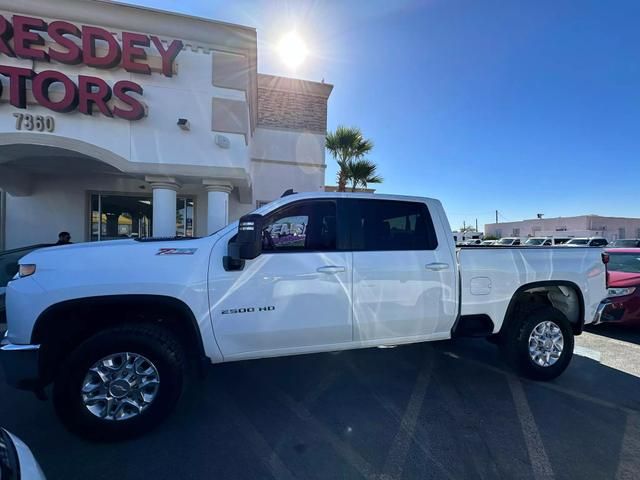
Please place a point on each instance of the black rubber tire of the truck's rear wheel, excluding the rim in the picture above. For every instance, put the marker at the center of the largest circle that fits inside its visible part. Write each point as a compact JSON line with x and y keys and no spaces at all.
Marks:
{"x":515,"y":344}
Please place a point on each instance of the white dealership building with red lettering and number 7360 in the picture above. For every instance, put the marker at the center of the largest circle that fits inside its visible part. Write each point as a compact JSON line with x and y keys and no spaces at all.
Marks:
{"x":121,"y":121}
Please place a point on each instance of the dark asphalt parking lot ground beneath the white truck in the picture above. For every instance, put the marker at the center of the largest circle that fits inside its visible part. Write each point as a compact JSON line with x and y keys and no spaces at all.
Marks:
{"x":440,"y":410}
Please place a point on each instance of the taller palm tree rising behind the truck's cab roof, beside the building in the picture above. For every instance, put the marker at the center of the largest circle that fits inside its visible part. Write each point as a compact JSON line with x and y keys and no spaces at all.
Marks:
{"x":346,"y":144}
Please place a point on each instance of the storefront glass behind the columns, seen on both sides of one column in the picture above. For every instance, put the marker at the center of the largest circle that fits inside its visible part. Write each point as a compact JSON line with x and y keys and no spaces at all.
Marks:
{"x":130,"y":216}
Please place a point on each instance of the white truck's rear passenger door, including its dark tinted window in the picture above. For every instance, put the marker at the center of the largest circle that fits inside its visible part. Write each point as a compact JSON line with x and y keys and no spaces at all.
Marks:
{"x":404,"y":277}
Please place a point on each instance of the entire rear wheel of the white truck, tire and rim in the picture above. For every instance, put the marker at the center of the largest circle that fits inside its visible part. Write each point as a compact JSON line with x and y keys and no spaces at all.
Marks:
{"x":539,"y":345}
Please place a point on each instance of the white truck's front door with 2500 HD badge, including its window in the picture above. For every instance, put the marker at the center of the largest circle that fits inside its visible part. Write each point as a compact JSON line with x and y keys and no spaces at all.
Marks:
{"x":295,"y":296}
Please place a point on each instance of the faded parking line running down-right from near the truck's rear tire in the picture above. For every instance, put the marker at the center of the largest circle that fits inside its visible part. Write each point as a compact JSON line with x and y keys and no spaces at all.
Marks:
{"x":537,"y":454}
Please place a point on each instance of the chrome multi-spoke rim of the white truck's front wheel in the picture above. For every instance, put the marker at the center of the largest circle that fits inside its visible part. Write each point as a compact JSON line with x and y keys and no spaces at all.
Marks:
{"x":120,"y":386}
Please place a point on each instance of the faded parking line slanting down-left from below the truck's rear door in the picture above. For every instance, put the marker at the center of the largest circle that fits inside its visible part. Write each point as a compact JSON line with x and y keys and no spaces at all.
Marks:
{"x":394,"y":464}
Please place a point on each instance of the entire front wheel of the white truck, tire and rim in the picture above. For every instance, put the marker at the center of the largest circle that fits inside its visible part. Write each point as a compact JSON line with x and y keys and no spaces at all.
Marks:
{"x":120,"y":383}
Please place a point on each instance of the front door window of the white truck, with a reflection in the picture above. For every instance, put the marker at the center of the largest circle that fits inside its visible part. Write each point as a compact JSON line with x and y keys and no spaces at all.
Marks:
{"x":307,"y":226}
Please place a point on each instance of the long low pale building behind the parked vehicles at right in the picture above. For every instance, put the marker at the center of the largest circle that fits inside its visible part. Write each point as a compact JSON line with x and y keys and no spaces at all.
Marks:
{"x":611,"y":228}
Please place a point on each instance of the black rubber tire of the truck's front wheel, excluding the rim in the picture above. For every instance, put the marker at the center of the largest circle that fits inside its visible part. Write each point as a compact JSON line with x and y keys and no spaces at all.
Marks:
{"x":152,"y":342}
